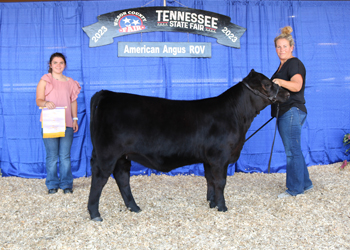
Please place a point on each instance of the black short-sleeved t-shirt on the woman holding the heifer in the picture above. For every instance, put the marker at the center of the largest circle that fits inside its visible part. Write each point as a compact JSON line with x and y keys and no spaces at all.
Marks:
{"x":290,"y":68}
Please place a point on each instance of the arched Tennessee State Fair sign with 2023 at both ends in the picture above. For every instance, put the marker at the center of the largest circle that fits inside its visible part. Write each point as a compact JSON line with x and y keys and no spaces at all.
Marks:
{"x":174,"y":19}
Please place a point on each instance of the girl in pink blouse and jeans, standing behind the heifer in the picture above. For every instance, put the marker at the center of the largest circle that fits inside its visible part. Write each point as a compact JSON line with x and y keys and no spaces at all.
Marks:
{"x":56,"y":90}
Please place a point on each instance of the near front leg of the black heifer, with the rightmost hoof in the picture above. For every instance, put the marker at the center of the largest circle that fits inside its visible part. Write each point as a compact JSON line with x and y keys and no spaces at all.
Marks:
{"x":220,"y":175}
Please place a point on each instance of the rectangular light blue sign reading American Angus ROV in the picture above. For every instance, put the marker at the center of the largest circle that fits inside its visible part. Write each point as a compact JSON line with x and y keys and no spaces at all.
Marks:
{"x":163,"y":49}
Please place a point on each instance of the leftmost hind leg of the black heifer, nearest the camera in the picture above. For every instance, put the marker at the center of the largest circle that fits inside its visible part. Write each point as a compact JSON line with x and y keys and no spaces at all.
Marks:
{"x":97,"y":184}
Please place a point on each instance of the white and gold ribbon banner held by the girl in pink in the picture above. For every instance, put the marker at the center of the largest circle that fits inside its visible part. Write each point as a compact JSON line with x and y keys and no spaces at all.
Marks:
{"x":54,"y":122}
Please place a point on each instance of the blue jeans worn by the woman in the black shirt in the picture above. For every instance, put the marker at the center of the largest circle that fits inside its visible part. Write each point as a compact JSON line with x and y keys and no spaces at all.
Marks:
{"x":289,"y":127}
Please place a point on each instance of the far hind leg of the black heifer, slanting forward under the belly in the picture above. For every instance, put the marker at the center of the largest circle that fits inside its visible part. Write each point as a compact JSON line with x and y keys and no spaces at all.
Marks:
{"x":122,"y":177}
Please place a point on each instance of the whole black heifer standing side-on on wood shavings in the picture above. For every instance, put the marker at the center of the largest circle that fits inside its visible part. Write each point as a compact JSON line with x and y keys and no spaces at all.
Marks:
{"x":166,"y":134}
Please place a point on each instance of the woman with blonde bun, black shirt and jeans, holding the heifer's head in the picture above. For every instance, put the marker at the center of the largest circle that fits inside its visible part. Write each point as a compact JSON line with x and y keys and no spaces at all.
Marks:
{"x":292,"y":114}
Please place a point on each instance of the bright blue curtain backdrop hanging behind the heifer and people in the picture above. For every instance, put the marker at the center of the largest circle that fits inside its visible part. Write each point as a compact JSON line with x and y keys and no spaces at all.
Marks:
{"x":31,"y":32}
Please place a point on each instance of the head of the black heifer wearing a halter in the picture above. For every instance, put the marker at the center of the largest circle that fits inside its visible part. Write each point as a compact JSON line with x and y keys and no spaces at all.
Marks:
{"x":264,"y":87}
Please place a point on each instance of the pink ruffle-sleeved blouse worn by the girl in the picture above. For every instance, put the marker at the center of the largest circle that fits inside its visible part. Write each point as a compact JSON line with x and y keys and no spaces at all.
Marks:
{"x":62,"y":94}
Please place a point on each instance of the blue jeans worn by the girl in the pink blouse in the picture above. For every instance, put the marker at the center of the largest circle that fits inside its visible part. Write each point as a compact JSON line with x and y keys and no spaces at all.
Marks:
{"x":59,"y":148}
